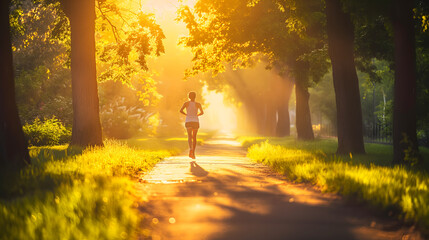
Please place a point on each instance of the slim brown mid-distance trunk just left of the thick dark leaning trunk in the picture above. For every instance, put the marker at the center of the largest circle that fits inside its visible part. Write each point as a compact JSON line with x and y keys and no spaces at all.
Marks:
{"x":304,"y":128}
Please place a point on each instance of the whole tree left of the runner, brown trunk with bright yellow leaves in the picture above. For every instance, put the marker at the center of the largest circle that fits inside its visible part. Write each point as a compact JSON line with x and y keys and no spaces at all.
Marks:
{"x":141,"y":37}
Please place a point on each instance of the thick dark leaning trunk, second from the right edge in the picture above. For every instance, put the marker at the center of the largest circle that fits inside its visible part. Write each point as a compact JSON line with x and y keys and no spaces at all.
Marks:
{"x":349,"y":114}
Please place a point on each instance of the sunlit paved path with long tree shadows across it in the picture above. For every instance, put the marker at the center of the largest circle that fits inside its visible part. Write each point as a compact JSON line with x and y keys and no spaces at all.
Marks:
{"x":224,"y":195}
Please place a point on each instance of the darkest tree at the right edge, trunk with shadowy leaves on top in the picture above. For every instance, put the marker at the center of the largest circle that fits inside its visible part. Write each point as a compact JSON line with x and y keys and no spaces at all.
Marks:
{"x":402,"y":17}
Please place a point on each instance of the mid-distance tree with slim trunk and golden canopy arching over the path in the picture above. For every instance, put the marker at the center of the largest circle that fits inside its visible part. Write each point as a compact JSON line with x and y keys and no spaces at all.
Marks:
{"x":265,"y":27}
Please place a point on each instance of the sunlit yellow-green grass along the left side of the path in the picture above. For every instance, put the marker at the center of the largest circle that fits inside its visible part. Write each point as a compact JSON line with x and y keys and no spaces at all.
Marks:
{"x":70,"y":193}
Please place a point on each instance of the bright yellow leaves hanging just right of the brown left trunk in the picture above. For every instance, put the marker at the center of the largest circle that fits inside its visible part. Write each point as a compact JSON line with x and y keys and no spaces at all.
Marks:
{"x":126,"y":38}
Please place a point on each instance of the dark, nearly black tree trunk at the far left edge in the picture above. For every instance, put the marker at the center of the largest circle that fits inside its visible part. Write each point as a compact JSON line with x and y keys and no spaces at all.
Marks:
{"x":13,"y":146}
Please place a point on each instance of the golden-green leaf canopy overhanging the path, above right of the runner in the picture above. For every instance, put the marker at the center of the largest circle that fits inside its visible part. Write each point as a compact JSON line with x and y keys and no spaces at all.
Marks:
{"x":288,"y":33}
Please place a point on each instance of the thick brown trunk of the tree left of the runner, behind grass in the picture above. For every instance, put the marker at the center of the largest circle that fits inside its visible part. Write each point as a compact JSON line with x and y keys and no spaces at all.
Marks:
{"x":86,"y":120}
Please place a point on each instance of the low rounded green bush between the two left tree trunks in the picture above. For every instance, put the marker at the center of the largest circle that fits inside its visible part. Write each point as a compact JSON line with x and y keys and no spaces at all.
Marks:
{"x":47,"y":132}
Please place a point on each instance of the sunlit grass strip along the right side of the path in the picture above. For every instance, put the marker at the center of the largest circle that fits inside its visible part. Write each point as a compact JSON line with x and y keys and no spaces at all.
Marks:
{"x":369,"y":178}
